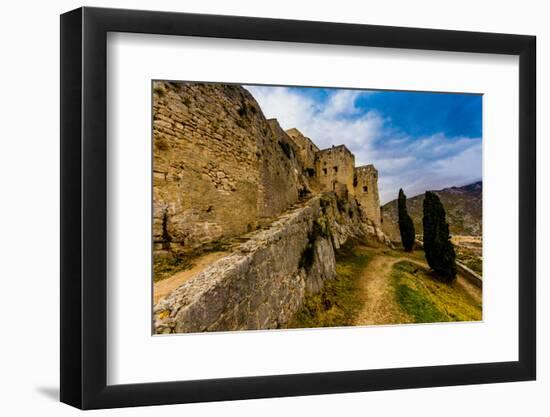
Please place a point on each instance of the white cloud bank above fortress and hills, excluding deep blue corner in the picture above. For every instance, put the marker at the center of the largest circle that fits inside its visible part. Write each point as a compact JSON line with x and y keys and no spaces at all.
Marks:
{"x":414,"y":164}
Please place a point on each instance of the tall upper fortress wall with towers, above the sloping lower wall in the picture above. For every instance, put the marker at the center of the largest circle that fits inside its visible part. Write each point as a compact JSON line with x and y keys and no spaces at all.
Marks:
{"x":221,"y":169}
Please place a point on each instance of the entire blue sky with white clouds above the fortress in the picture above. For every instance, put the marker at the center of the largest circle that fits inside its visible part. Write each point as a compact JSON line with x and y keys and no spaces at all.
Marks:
{"x":418,"y":141}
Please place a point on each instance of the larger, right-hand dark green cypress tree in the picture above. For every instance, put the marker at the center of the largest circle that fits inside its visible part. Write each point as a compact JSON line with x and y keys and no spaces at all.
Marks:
{"x":438,"y":248}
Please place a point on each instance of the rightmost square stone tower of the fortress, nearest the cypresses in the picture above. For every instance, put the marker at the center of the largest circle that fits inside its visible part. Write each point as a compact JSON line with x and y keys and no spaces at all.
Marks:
{"x":366,"y":192}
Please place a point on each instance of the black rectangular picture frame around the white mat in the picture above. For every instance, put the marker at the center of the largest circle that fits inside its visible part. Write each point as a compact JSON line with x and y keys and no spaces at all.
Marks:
{"x":84,"y":207}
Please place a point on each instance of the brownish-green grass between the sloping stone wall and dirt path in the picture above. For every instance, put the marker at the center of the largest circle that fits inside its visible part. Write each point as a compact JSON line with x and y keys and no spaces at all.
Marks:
{"x":338,"y":302}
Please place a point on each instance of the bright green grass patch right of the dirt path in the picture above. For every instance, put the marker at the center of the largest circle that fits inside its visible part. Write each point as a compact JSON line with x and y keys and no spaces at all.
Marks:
{"x":427,"y":300}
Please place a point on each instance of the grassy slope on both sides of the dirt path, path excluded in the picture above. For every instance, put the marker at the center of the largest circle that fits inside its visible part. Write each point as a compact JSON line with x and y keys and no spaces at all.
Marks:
{"x":417,"y":294}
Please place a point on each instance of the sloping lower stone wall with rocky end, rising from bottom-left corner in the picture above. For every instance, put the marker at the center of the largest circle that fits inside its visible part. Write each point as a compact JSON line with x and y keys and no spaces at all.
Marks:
{"x":264,"y":282}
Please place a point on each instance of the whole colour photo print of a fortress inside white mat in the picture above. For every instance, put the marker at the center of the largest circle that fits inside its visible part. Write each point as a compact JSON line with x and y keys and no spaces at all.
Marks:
{"x":279,"y":207}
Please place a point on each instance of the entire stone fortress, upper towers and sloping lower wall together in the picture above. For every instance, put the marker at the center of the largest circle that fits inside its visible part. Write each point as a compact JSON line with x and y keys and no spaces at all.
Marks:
{"x":222,"y":171}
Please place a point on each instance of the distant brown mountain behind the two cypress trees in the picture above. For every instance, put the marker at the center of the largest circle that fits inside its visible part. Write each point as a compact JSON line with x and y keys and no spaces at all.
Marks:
{"x":463,"y":206}
